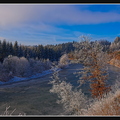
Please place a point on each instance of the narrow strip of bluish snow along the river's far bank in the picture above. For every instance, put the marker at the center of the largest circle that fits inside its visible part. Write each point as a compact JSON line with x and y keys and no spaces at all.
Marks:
{"x":17,"y":79}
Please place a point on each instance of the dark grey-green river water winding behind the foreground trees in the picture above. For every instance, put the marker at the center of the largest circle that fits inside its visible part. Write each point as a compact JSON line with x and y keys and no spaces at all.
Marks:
{"x":33,"y":97}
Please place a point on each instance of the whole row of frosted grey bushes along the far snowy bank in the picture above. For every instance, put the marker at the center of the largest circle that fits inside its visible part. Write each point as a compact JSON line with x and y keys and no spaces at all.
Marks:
{"x":21,"y":67}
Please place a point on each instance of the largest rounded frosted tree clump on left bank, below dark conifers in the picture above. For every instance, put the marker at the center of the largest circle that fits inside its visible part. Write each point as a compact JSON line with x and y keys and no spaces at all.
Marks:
{"x":17,"y":66}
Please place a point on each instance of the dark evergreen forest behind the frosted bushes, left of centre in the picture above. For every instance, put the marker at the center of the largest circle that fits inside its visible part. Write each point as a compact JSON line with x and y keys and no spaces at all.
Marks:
{"x":51,"y":52}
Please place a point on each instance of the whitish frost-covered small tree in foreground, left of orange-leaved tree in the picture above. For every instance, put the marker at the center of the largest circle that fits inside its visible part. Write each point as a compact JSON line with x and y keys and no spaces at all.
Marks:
{"x":74,"y":101}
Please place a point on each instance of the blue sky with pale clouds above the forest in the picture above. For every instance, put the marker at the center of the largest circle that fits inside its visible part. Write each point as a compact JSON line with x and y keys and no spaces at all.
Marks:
{"x":33,"y":24}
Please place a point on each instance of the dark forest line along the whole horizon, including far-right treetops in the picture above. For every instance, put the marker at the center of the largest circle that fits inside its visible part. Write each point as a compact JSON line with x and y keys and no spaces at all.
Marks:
{"x":51,"y":52}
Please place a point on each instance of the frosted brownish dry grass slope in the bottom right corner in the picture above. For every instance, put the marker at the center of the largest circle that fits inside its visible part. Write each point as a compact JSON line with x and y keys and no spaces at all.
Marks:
{"x":110,"y":105}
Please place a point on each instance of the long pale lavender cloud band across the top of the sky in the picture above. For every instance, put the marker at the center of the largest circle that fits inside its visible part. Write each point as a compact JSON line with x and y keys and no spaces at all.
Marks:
{"x":55,"y":14}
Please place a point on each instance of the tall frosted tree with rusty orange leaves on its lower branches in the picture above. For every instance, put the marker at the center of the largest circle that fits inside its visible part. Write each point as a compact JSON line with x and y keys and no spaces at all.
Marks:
{"x":94,"y":61}
